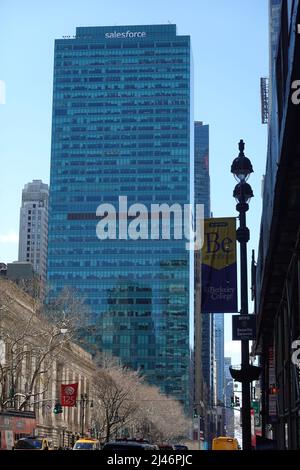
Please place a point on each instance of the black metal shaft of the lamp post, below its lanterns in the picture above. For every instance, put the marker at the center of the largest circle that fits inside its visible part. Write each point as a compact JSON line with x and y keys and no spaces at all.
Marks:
{"x":243,"y":239}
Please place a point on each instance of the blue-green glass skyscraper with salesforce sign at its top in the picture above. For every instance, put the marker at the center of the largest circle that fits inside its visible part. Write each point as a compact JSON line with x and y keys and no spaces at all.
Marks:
{"x":122,"y":125}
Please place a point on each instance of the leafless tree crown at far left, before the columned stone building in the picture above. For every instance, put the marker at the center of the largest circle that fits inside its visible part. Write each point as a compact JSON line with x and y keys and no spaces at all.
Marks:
{"x":31,"y":339}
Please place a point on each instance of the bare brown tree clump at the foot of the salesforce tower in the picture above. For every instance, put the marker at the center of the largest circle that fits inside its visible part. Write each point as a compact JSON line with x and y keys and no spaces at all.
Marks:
{"x":124,"y":400}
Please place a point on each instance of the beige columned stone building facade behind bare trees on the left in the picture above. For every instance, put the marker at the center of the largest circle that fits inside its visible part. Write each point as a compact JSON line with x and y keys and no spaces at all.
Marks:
{"x":68,"y":363}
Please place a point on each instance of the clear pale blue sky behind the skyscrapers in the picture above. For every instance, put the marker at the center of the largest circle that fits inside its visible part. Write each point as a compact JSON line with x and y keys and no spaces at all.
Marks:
{"x":230,"y":49}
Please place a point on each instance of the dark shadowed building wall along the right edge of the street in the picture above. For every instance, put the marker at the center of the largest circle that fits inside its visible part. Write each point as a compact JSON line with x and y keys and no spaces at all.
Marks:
{"x":277,"y":281}
